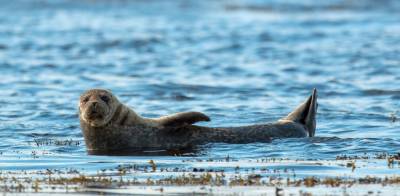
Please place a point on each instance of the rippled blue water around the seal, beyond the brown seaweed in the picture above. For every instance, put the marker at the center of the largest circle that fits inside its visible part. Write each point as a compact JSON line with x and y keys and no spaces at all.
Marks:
{"x":240,"y":62}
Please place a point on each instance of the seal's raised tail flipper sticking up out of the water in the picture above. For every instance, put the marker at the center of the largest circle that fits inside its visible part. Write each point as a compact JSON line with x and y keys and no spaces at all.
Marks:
{"x":305,"y":113}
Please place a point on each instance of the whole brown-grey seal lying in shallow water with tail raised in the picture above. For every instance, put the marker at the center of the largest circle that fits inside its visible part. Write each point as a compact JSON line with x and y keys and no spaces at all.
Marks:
{"x":111,"y":128}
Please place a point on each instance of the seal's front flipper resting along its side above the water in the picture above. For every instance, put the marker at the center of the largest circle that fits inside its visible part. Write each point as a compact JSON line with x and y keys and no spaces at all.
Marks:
{"x":182,"y":118}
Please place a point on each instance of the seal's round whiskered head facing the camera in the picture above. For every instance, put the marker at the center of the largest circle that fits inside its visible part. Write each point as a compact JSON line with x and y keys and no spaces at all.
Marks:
{"x":97,"y":107}
